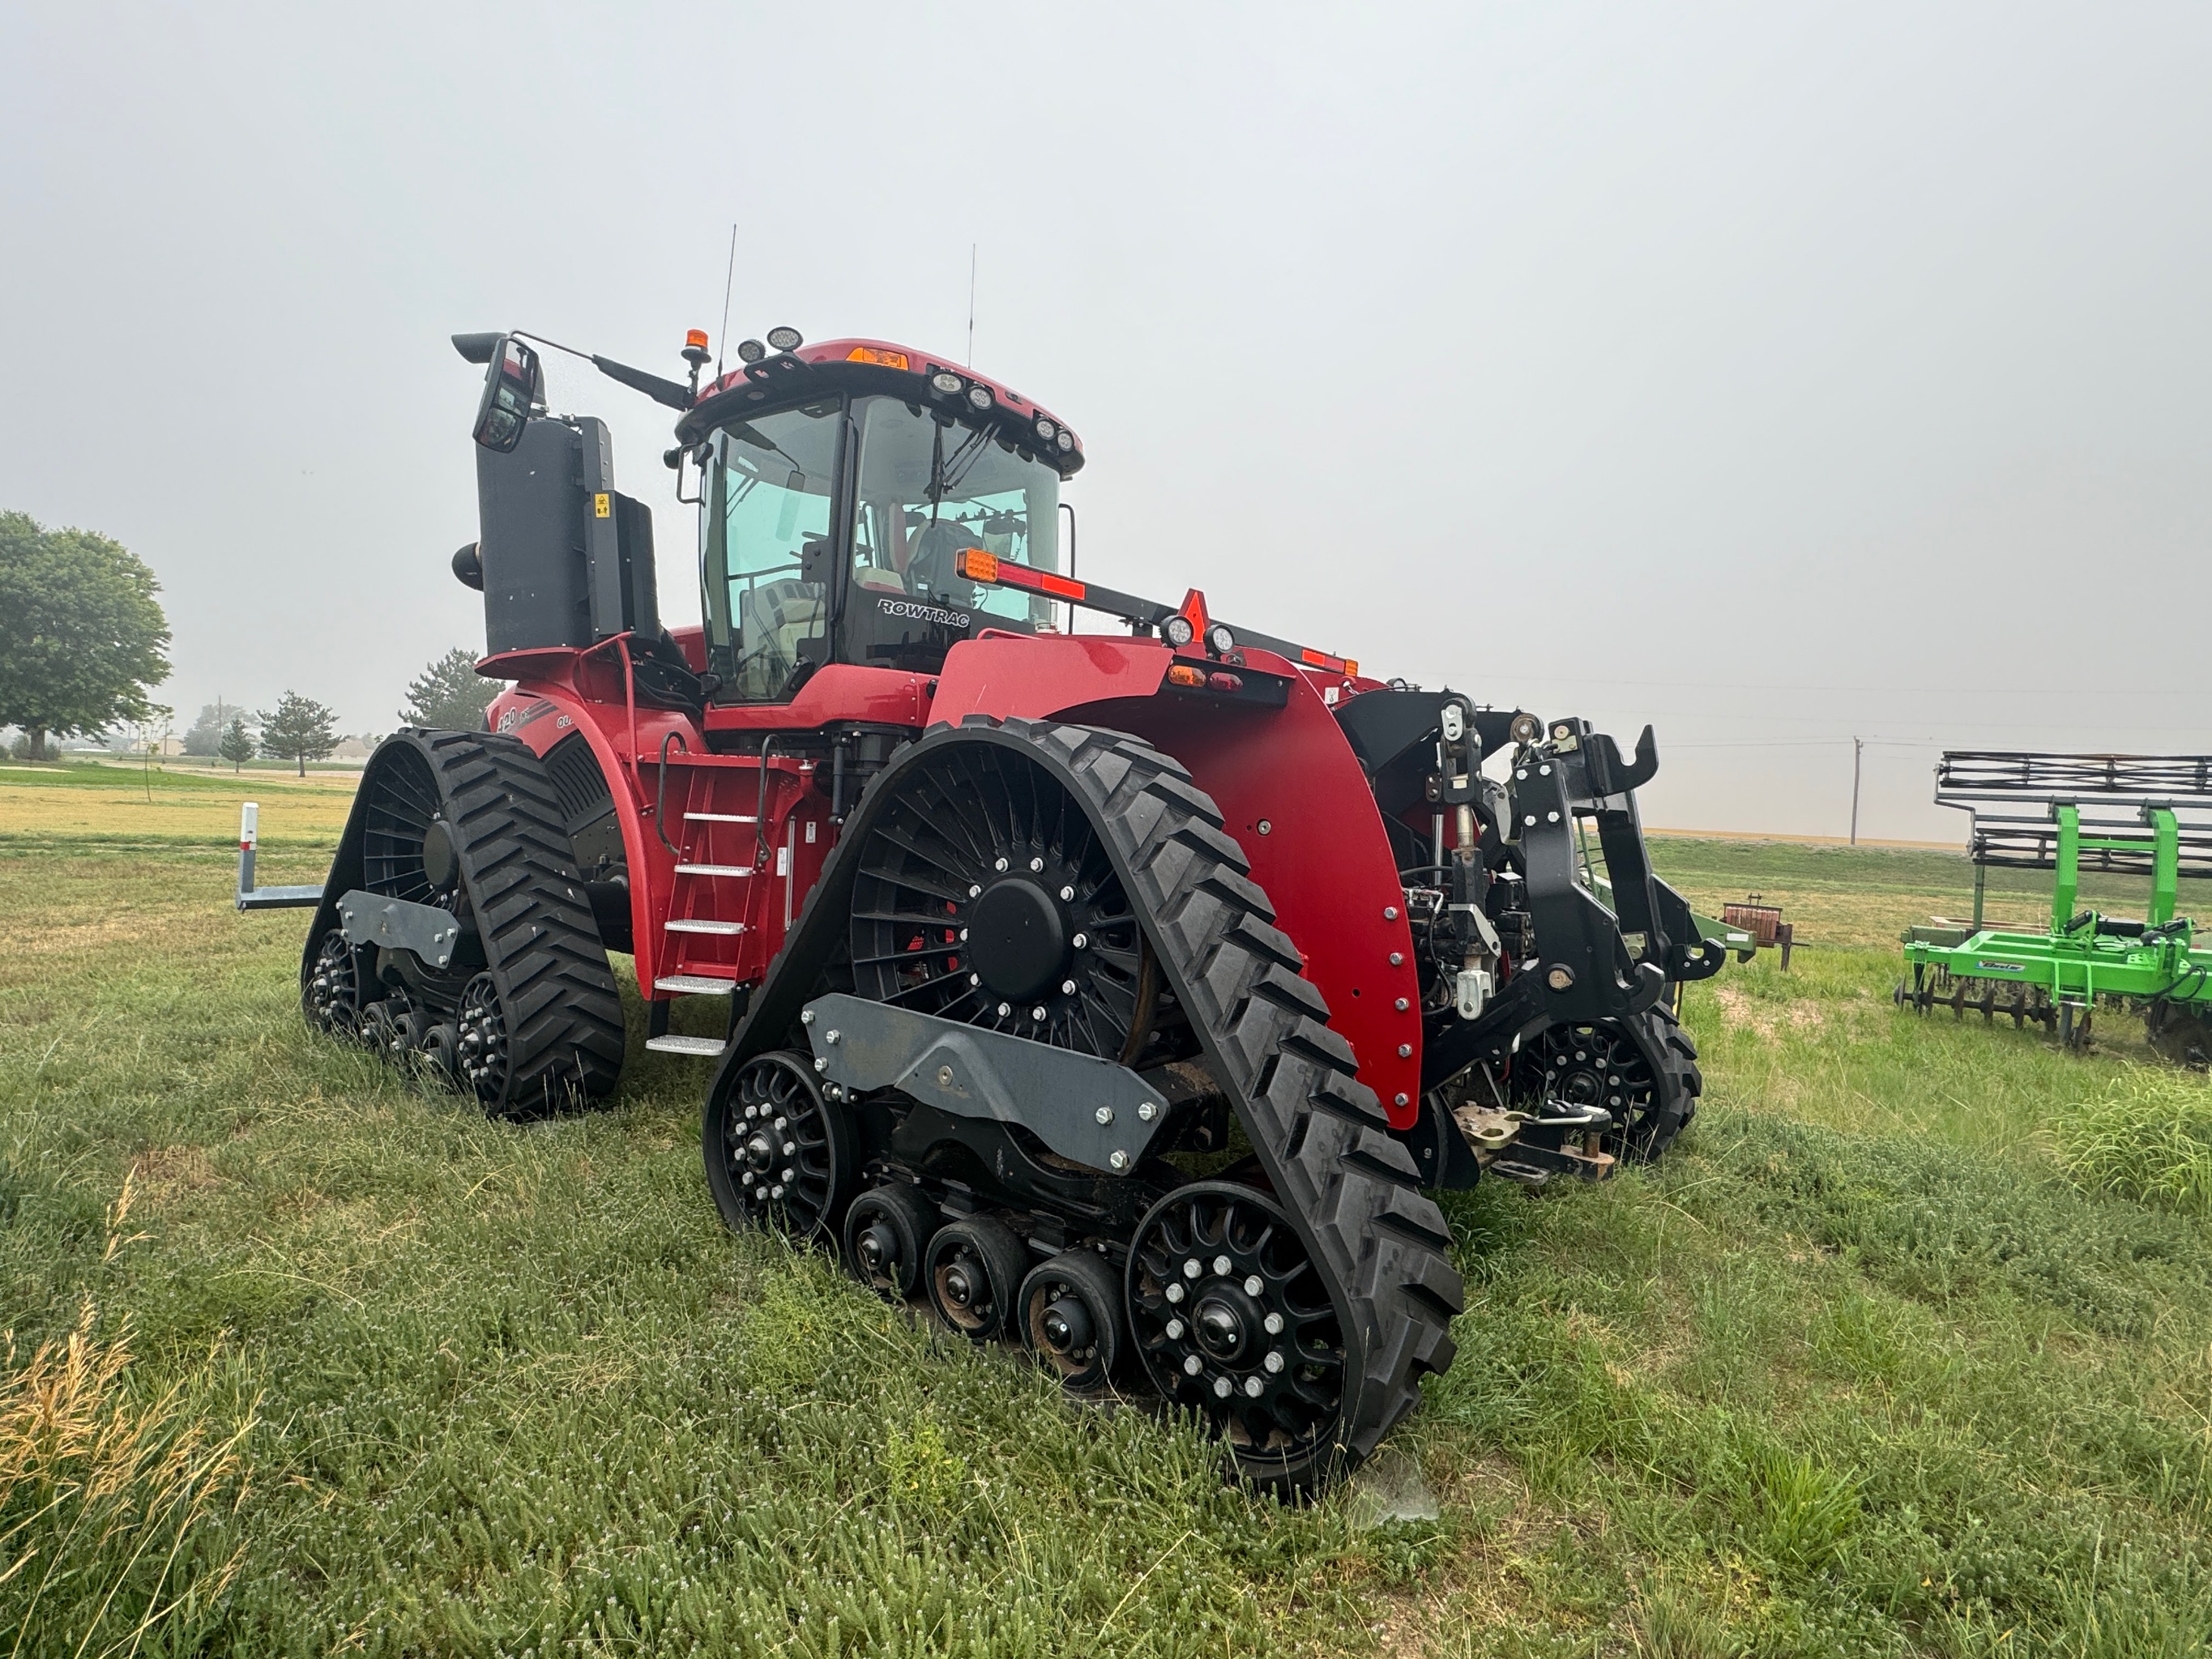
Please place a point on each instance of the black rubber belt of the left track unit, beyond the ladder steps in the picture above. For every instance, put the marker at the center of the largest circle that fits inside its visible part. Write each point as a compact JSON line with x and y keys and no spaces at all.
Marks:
{"x":543,"y":952}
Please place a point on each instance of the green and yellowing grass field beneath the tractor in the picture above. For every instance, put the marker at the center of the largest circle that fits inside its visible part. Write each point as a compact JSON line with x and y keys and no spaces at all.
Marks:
{"x":1903,"y":1350}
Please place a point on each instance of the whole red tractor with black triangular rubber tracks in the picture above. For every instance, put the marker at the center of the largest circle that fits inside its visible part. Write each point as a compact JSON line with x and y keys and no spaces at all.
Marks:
{"x":1116,"y":992}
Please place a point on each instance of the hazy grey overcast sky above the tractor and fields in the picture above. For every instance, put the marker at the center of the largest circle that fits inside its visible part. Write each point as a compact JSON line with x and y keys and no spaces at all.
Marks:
{"x":1766,"y":373}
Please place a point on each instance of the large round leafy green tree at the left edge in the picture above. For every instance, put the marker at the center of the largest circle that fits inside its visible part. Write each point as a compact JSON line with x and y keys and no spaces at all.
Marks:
{"x":81,"y":632}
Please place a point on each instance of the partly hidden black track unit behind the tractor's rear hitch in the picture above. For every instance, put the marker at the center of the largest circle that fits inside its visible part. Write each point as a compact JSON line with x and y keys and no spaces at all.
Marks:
{"x":1640,"y":1070}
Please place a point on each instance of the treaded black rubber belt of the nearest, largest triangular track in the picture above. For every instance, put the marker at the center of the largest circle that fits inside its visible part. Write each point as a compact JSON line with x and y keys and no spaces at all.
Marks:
{"x":1319,"y":1134}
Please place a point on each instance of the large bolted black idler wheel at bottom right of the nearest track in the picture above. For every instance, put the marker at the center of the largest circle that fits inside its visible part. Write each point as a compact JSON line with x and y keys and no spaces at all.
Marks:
{"x":1235,"y":1324}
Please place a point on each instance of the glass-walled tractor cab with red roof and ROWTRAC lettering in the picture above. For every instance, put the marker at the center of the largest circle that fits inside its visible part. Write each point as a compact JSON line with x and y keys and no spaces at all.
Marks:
{"x":837,"y":499}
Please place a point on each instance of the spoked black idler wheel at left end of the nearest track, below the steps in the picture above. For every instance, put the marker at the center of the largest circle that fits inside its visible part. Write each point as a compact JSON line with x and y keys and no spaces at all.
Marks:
{"x":780,"y":1156}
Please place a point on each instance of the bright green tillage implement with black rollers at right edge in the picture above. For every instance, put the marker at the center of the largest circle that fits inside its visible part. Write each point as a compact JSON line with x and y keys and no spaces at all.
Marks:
{"x":2060,"y":977}
